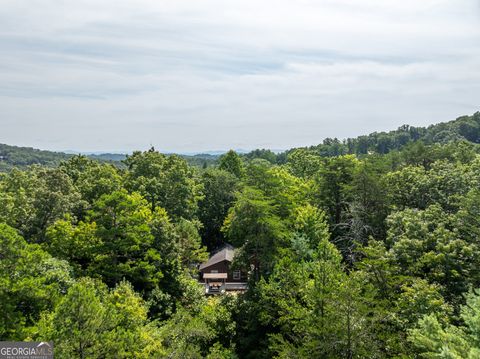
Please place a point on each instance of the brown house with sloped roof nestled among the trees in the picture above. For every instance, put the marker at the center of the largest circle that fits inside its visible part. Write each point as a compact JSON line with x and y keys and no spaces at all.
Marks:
{"x":218,"y":277}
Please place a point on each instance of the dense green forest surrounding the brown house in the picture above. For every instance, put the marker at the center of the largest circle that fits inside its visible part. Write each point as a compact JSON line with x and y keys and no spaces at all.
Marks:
{"x":363,"y":248}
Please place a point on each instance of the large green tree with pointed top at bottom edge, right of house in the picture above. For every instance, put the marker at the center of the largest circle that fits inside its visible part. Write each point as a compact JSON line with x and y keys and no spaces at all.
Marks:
{"x":318,"y":310}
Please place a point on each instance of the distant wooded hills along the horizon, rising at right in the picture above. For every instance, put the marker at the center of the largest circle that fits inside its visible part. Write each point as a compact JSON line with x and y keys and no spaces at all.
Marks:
{"x":464,"y":128}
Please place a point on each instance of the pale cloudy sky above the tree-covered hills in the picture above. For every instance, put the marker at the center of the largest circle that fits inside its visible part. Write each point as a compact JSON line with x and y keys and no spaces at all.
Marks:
{"x":200,"y":75}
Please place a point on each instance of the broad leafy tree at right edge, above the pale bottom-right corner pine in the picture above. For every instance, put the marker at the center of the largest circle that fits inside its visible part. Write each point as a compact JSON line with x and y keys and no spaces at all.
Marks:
{"x":426,"y":245}
